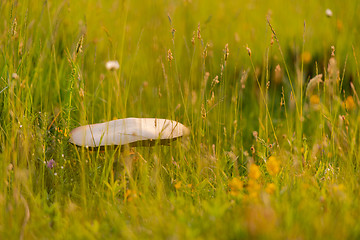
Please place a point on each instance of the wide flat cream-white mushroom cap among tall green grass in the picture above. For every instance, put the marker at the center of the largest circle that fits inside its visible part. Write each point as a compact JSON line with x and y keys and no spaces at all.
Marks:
{"x":128,"y":131}
